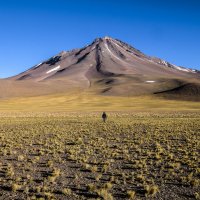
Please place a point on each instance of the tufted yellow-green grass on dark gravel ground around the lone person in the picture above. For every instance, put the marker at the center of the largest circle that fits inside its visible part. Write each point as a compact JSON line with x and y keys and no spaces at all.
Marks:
{"x":77,"y":156}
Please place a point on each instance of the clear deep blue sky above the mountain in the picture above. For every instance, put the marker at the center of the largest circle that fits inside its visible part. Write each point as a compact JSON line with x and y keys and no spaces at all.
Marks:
{"x":34,"y":30}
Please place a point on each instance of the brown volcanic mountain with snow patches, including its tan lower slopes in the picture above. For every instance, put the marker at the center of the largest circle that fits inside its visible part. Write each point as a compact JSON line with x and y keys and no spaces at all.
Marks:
{"x":106,"y":66}
